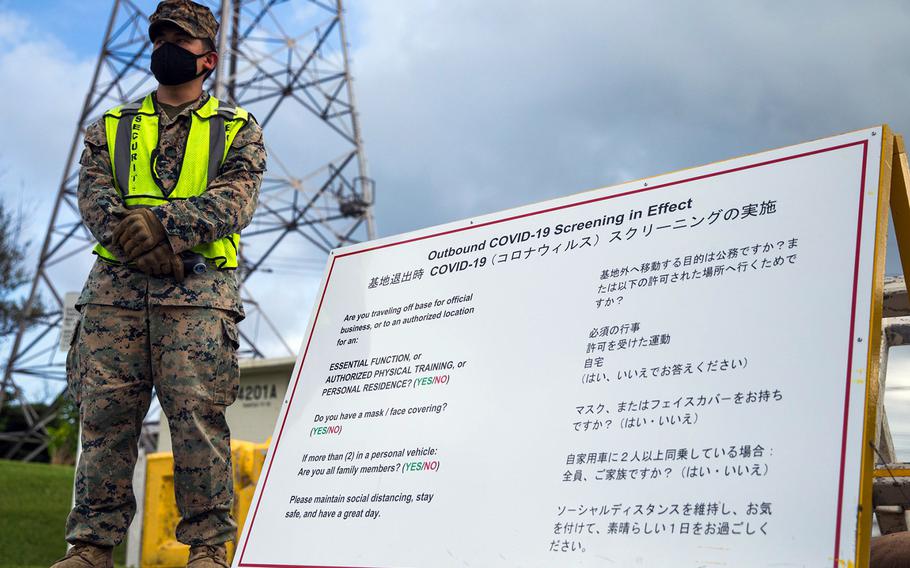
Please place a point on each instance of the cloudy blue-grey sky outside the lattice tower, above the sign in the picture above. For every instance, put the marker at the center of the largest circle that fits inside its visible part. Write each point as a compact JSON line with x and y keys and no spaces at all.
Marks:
{"x":476,"y":106}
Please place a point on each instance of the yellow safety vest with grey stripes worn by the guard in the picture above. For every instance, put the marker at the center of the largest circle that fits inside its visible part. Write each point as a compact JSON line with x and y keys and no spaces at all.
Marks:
{"x":132,"y":143}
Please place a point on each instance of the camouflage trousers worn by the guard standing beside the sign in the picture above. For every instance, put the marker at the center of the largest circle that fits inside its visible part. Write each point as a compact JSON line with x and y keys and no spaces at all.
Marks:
{"x":116,"y":356}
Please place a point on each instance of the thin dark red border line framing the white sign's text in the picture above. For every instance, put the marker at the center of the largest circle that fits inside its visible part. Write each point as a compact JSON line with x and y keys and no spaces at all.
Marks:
{"x":859,"y":228}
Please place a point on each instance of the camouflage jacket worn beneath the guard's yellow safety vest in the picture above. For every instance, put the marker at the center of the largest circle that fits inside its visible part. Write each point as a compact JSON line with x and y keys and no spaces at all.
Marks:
{"x":226,"y":207}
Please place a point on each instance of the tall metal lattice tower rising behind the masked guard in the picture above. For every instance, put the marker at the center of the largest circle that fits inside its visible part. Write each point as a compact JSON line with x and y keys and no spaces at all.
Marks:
{"x":286,"y":61}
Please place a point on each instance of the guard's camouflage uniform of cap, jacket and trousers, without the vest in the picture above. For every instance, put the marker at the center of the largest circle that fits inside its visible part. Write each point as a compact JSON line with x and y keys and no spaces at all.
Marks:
{"x":138,"y":330}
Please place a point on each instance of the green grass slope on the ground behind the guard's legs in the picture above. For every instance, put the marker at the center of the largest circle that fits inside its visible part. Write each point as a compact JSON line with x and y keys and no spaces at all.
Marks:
{"x":34,"y":501}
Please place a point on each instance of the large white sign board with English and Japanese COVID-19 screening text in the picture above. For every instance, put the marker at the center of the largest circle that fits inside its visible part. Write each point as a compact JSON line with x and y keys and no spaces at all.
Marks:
{"x":669,"y":372}
